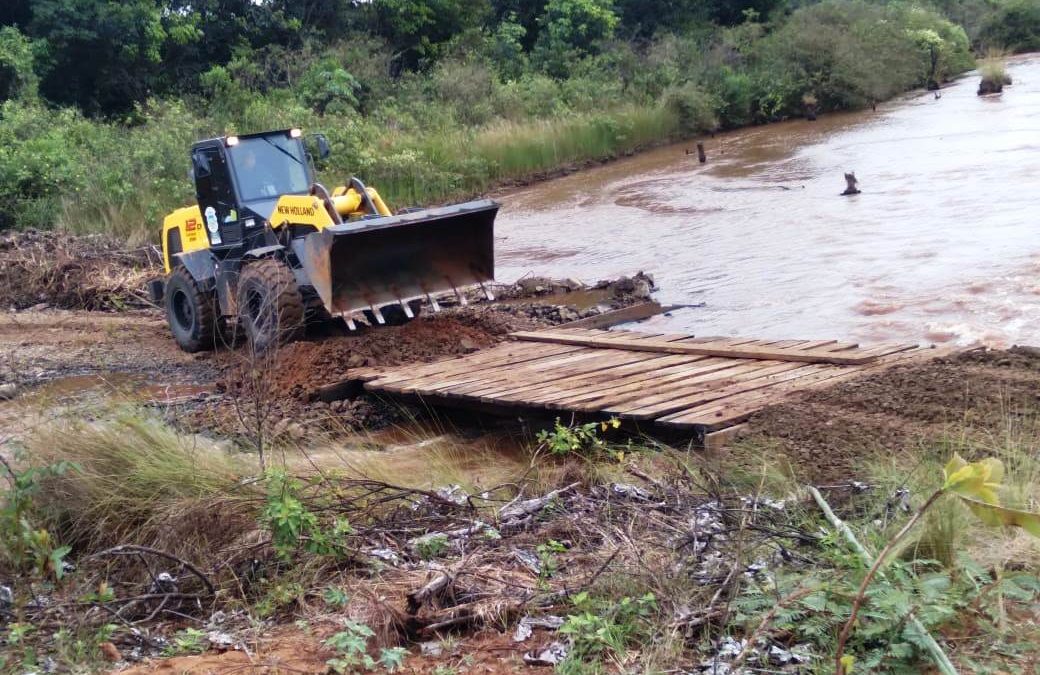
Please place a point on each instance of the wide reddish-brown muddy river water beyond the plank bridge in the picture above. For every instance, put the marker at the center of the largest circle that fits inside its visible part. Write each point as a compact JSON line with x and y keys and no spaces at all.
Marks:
{"x":942,"y":246}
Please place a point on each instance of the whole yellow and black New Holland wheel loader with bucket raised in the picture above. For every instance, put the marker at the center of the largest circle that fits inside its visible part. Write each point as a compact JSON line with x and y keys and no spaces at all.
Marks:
{"x":267,"y":247}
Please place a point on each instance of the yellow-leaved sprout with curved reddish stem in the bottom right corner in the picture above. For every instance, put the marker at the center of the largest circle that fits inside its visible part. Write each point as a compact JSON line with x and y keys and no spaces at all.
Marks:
{"x":977,"y":485}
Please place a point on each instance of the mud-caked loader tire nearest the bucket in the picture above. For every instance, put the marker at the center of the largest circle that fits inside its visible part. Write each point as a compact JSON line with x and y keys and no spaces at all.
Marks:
{"x":271,"y":307}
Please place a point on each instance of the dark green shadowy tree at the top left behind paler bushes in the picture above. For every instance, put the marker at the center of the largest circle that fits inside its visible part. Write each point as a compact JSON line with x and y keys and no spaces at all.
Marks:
{"x":101,"y":56}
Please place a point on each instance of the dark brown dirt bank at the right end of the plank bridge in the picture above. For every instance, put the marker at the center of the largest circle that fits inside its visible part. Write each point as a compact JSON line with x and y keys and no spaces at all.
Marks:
{"x":826,"y":435}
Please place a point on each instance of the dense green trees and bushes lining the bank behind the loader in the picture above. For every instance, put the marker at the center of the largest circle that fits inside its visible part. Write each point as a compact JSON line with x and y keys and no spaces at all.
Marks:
{"x":430,"y":99}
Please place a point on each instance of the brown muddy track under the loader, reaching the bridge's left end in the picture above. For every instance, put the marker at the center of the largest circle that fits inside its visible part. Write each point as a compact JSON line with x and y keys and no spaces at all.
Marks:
{"x":65,"y":358}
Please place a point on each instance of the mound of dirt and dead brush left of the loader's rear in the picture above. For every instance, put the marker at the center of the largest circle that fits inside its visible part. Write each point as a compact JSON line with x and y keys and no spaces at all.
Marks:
{"x":91,"y":273}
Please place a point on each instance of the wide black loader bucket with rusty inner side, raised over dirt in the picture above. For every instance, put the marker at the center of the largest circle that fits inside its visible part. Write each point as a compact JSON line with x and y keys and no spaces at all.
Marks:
{"x":375,"y":263}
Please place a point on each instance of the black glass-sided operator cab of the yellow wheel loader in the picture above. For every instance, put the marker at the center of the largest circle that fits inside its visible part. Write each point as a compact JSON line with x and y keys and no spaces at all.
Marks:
{"x":240,"y":179}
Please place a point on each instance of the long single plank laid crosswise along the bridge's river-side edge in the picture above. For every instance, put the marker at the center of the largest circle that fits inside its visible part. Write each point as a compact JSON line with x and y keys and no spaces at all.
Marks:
{"x":703,"y":350}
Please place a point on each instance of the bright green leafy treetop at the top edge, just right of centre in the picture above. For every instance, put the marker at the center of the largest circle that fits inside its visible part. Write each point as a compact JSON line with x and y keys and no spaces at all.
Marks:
{"x":573,"y":30}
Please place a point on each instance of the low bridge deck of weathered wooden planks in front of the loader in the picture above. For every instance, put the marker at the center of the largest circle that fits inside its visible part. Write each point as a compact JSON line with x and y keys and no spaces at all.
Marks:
{"x":675,"y":382}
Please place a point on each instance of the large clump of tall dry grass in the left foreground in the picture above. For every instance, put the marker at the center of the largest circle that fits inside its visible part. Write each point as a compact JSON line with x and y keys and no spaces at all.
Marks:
{"x":139,"y":481}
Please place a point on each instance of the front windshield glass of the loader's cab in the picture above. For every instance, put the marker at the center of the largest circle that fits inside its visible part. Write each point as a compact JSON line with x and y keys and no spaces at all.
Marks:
{"x":268,"y":167}
